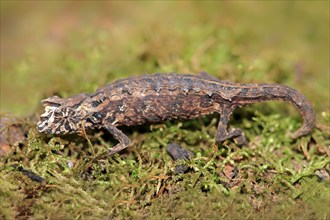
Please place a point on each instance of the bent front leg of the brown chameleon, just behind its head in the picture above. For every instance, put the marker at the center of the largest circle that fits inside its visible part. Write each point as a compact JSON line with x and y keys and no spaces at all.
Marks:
{"x":123,"y":140}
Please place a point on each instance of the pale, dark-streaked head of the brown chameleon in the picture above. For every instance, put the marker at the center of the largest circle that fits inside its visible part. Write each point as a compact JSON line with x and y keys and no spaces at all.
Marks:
{"x":60,"y":117}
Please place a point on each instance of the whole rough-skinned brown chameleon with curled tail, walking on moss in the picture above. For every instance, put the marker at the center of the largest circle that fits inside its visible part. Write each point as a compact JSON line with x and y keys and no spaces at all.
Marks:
{"x":159,"y":97}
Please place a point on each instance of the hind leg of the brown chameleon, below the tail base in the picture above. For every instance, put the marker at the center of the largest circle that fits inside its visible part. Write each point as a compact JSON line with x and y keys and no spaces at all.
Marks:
{"x":223,"y":133}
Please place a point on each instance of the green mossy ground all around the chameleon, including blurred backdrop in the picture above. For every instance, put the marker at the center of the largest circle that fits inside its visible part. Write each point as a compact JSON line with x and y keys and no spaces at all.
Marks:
{"x":71,"y":48}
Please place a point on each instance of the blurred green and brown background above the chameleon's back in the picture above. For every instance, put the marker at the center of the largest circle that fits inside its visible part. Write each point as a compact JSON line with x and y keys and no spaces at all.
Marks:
{"x":67,"y":47}
